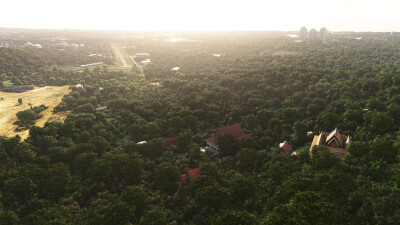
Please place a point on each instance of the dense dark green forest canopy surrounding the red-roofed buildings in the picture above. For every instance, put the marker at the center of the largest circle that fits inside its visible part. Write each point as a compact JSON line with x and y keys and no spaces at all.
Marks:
{"x":91,"y":168}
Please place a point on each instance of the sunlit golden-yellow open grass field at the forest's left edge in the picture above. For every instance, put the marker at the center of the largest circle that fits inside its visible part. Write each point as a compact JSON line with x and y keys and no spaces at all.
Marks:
{"x":49,"y":96}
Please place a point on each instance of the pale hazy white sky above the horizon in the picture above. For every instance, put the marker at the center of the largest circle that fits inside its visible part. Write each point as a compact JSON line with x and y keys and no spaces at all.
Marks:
{"x":336,"y":15}
